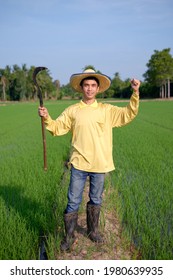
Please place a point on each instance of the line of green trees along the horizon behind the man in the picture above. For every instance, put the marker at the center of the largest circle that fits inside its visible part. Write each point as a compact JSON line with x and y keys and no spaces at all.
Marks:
{"x":16,"y":83}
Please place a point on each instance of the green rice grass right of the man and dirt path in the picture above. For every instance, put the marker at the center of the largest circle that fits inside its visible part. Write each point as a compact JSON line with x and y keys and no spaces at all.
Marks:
{"x":144,"y":179}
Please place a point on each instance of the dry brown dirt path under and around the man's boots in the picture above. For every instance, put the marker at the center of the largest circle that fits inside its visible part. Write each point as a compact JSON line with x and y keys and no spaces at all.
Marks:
{"x":115,"y":246}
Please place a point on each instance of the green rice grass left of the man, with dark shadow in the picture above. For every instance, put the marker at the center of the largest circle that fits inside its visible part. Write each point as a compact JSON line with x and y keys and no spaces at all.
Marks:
{"x":29,"y":196}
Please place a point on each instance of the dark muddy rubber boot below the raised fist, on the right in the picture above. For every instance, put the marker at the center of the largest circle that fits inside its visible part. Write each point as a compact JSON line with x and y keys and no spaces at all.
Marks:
{"x":93,"y":213}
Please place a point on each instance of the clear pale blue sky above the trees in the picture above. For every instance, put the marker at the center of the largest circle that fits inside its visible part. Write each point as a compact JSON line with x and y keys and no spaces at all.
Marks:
{"x":66,"y":35}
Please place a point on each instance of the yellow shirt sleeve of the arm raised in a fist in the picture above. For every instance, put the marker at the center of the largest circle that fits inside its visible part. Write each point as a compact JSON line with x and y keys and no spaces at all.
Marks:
{"x":121,"y":116}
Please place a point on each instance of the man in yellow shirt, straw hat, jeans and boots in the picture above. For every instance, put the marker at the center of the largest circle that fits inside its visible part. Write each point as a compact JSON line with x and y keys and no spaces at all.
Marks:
{"x":91,"y":126}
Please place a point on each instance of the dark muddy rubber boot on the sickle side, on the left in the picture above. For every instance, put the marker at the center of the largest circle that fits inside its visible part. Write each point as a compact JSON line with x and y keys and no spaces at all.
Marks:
{"x":70,"y":221}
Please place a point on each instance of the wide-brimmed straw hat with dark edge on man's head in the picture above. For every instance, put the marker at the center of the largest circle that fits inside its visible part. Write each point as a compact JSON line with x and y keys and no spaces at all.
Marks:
{"x":104,"y":81}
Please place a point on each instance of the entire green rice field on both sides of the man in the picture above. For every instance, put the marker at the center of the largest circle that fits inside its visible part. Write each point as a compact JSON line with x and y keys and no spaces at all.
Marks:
{"x":32,"y":201}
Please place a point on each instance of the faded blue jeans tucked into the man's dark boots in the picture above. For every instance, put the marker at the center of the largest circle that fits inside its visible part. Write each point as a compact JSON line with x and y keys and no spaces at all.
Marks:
{"x":76,"y":188}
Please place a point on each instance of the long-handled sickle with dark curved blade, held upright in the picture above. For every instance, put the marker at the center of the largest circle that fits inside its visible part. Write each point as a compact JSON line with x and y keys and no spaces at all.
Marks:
{"x":36,"y":71}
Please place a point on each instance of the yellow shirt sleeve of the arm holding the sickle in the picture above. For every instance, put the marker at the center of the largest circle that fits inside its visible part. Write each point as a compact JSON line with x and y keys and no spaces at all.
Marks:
{"x":60,"y":126}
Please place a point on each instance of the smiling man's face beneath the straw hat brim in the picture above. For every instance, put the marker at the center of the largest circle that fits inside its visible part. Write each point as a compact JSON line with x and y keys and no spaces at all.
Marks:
{"x":90,"y":89}
